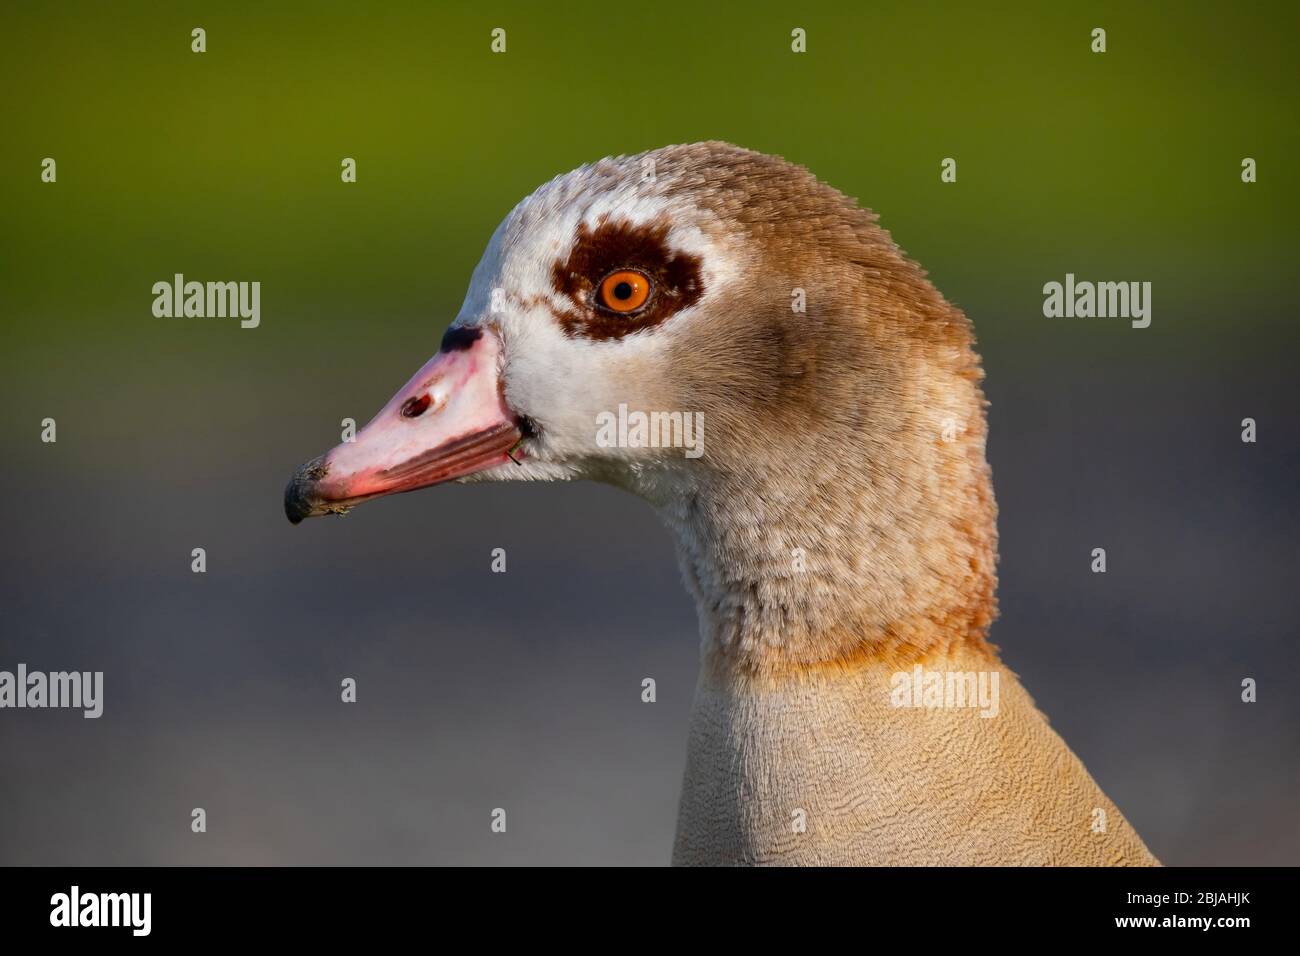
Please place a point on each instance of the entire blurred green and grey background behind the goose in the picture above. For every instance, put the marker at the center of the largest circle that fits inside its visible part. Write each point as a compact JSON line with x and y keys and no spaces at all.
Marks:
{"x":522,"y":691}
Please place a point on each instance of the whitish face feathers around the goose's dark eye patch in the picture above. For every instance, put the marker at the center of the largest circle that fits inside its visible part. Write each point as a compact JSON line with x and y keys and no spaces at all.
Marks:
{"x":561,"y":382}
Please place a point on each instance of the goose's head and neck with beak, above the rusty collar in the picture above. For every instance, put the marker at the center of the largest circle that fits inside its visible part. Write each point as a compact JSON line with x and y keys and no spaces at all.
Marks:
{"x":825,"y":475}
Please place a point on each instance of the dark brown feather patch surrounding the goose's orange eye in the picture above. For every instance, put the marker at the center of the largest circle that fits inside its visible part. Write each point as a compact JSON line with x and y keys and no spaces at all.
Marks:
{"x":619,"y":245}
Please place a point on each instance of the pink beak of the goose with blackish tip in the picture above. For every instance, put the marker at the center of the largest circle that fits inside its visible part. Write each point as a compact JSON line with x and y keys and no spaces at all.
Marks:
{"x":448,"y":422}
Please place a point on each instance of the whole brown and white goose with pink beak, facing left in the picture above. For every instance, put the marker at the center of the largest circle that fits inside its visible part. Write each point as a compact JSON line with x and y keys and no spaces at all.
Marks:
{"x":837,"y":529}
